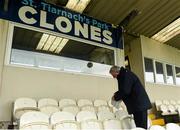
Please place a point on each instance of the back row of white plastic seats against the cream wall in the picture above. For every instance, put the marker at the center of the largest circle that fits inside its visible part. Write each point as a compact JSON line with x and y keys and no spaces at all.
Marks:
{"x":49,"y":106}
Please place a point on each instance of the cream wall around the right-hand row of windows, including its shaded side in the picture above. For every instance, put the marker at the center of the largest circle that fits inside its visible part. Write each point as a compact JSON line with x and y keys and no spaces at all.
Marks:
{"x":146,"y":47}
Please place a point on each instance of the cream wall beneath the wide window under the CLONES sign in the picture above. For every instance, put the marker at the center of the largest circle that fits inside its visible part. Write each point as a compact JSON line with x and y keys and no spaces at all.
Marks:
{"x":28,"y":82}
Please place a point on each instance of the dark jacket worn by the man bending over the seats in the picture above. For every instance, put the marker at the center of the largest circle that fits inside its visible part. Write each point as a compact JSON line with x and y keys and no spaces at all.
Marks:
{"x":131,"y":92}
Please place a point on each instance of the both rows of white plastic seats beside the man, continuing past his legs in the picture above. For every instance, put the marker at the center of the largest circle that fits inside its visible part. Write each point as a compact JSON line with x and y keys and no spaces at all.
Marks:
{"x":82,"y":114}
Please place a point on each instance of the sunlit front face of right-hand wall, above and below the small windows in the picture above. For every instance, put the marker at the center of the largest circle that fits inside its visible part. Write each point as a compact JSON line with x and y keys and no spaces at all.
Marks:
{"x":166,"y":54}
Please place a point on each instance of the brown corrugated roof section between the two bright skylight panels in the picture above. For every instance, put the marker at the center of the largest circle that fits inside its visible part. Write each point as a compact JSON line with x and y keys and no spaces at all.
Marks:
{"x":154,"y":14}
